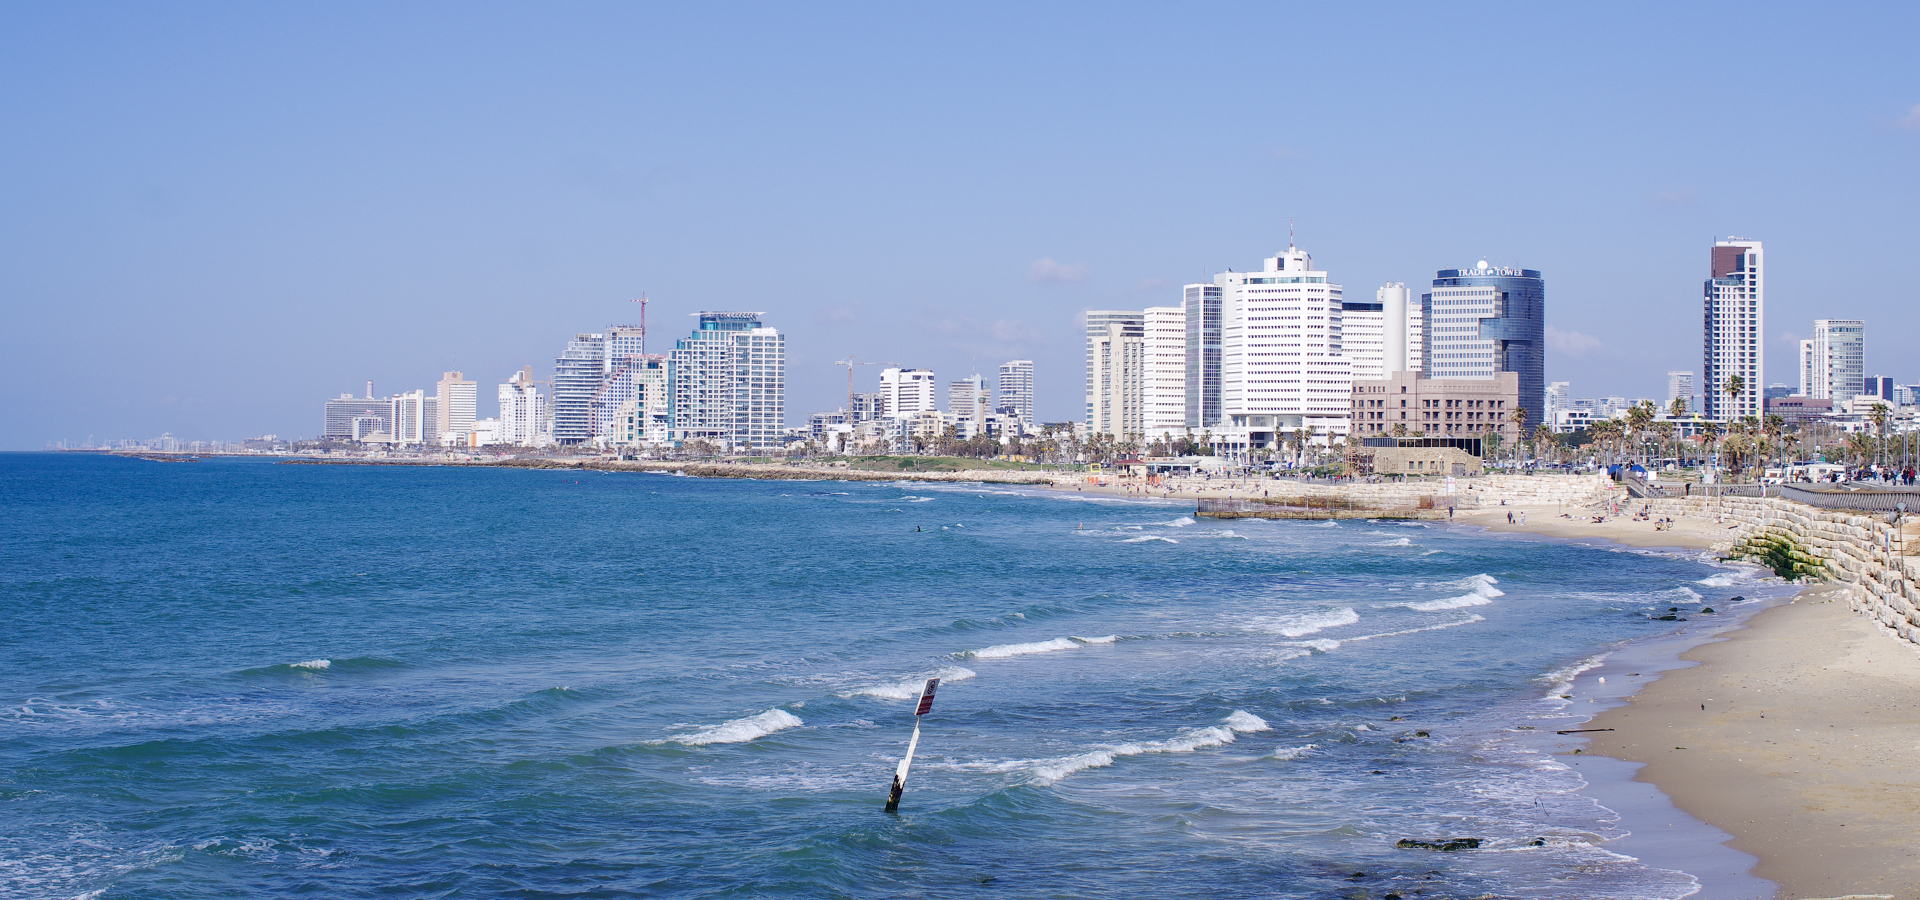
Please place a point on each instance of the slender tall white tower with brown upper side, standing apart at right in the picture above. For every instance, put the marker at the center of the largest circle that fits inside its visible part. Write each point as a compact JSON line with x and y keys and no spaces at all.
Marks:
{"x":1735,"y":331}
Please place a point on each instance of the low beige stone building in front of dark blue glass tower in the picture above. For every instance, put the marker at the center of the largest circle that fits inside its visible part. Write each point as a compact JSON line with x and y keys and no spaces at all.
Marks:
{"x":1437,"y":408}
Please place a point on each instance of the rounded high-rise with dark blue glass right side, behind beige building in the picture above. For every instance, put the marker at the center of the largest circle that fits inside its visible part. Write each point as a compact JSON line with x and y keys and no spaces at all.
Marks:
{"x":1483,"y":321}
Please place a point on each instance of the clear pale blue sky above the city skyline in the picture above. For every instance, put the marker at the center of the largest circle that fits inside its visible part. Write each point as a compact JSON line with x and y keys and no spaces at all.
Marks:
{"x":218,"y":216}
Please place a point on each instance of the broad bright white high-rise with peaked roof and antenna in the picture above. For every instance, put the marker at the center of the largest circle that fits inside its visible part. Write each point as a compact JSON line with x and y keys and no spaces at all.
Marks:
{"x":1282,"y":354}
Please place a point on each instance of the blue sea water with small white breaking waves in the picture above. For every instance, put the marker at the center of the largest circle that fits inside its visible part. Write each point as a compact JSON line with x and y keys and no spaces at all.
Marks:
{"x":239,"y":678}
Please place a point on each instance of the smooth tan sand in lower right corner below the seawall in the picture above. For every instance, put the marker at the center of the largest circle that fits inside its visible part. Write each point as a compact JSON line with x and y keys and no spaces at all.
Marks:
{"x":1798,"y":736}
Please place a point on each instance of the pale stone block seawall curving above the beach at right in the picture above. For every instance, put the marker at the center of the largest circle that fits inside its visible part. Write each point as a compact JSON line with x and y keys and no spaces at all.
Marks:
{"x":1856,"y":550}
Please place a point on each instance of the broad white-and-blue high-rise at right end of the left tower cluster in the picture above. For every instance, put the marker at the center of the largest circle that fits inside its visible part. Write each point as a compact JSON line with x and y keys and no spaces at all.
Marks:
{"x":731,"y":383}
